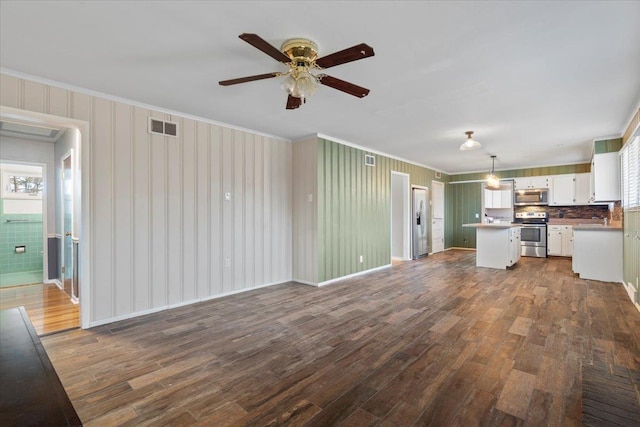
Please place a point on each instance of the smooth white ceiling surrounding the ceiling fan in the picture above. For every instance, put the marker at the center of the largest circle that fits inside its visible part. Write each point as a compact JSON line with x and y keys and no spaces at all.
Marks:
{"x":537,"y":81}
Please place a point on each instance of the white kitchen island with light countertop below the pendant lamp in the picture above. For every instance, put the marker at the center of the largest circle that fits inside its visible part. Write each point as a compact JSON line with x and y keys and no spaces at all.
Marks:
{"x":497,"y":244}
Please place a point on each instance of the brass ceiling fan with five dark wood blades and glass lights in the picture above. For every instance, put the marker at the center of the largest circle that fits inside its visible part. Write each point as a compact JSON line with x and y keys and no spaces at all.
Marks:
{"x":301,"y":56}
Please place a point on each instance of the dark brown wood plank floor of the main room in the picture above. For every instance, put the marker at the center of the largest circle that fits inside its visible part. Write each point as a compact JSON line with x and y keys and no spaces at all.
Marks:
{"x":430,"y":342}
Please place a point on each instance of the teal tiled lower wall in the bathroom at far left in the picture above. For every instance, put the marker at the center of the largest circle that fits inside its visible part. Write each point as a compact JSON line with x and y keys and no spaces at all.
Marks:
{"x":14,"y":234}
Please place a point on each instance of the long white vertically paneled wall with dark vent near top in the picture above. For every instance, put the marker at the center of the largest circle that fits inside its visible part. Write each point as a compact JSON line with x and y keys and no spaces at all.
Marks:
{"x":161,"y":229}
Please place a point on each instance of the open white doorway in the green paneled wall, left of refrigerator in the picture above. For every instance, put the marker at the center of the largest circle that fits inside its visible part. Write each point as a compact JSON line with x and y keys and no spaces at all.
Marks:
{"x":400,"y":217}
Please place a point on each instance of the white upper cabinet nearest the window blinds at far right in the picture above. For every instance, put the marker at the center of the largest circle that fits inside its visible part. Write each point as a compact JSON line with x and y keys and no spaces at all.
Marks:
{"x":605,"y":177}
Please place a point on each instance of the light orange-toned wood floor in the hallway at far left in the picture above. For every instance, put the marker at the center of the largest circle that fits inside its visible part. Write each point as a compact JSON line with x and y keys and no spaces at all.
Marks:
{"x":49,"y":308}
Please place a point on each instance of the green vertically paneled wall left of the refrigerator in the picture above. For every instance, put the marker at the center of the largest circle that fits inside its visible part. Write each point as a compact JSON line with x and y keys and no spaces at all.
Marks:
{"x":354,"y":208}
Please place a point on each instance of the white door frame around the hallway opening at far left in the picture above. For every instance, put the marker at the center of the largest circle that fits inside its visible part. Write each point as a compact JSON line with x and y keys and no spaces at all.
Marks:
{"x":83,"y":160}
